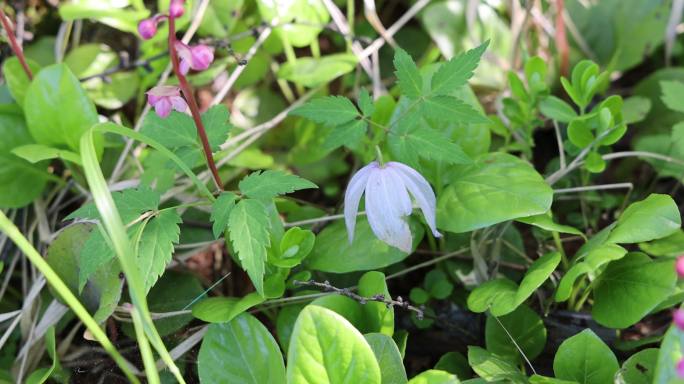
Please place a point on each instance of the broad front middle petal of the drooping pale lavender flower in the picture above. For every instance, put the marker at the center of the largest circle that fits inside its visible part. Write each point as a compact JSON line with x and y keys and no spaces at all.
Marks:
{"x":384,"y":213}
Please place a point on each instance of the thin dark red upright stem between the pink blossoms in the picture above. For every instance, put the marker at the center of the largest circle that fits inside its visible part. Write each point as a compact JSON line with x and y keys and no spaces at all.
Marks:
{"x":192,"y":103}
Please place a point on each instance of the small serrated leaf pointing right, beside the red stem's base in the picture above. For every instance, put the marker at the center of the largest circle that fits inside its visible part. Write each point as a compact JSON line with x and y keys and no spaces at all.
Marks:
{"x":271,"y":183}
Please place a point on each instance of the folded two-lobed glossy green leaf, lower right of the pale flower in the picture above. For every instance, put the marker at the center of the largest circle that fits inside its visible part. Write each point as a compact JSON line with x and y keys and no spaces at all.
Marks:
{"x":502,"y":296}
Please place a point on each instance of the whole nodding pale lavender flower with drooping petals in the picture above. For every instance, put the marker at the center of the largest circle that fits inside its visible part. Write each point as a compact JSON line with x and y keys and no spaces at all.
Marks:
{"x":387,"y":189}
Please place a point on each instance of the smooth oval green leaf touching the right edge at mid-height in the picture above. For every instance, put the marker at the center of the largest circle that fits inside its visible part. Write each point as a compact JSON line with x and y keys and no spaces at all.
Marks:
{"x":655,"y":217}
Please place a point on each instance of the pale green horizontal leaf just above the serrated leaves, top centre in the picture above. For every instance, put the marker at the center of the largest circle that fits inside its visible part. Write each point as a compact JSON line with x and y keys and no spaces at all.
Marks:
{"x":312,"y":72}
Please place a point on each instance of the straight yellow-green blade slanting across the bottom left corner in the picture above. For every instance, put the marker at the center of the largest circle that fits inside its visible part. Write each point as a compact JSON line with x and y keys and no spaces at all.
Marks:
{"x":65,"y":293}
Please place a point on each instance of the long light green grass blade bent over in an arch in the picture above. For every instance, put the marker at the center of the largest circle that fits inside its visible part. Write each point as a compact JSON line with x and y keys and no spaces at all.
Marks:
{"x":122,"y":247}
